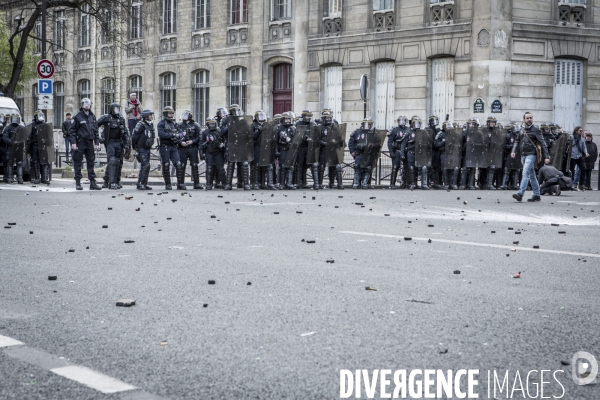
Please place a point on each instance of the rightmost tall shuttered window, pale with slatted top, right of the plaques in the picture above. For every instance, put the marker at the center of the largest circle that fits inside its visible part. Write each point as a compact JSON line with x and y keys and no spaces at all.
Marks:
{"x":568,"y":93}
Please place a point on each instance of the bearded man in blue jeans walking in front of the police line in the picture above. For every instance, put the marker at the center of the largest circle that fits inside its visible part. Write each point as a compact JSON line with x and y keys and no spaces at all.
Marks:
{"x":530,"y":137}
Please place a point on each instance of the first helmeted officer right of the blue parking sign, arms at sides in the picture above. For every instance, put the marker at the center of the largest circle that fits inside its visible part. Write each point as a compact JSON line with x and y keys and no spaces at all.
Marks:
{"x":84,"y":140}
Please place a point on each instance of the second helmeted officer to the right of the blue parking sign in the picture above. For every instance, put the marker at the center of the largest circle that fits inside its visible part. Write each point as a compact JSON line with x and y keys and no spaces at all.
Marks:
{"x":115,"y":137}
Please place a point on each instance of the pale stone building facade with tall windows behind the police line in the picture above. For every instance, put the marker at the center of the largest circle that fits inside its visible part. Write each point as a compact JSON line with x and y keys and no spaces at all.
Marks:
{"x":423,"y":57}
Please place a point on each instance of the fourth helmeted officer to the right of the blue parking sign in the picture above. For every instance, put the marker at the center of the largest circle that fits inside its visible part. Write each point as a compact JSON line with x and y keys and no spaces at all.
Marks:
{"x":170,"y":138}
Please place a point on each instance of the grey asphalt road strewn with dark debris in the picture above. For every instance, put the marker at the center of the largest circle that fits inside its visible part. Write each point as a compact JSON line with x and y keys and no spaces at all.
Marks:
{"x":280,"y":321}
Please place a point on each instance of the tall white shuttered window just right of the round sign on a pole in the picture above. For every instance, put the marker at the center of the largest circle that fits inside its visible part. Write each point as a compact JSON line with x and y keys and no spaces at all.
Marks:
{"x":385,"y":94}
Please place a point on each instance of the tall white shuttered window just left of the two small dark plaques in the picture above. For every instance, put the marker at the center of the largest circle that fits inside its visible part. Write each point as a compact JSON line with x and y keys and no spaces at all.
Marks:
{"x":442,"y":88}
